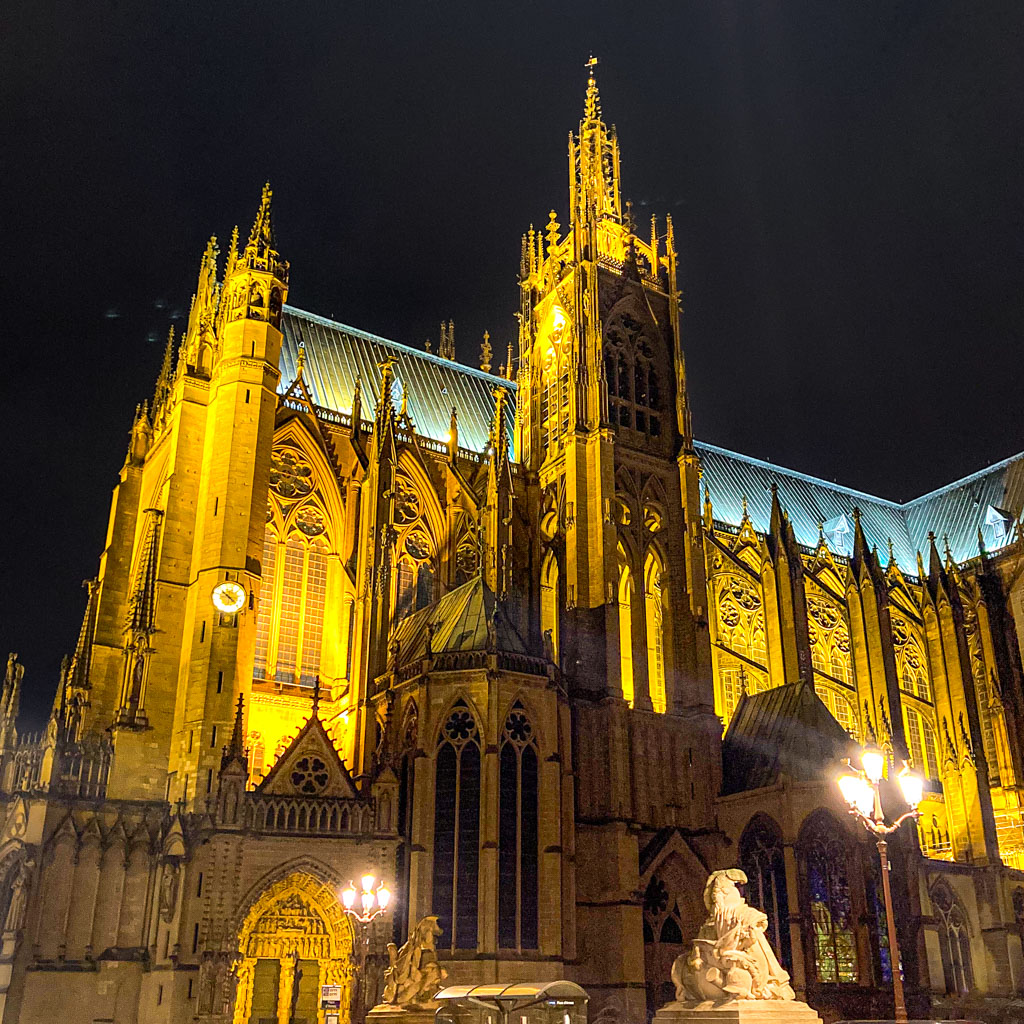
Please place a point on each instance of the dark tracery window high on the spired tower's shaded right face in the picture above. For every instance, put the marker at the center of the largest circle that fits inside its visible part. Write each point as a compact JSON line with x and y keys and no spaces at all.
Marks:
{"x":632,"y":377}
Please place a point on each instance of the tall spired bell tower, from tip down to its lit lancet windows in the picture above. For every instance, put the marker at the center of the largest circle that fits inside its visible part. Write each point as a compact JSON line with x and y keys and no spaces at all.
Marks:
{"x":604,"y":421}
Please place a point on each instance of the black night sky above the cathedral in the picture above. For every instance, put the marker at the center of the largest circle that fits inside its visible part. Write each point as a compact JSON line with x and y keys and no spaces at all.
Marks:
{"x":845,"y":178}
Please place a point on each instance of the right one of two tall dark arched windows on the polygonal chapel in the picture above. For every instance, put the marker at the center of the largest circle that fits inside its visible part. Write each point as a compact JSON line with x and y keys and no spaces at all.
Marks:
{"x":518,"y":835}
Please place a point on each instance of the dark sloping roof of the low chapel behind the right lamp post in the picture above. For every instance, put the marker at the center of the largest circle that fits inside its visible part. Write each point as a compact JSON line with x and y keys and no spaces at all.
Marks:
{"x":788,"y":731}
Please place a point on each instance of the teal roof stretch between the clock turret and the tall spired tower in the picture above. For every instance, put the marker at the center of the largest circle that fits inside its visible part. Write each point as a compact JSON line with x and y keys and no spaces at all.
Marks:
{"x":336,"y":356}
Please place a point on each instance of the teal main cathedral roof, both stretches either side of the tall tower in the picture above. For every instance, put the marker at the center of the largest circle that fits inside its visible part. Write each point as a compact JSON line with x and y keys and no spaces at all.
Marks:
{"x":992,"y":499}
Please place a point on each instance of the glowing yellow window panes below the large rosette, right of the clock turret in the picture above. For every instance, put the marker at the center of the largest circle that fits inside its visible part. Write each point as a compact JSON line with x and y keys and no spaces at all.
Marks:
{"x":293,"y":595}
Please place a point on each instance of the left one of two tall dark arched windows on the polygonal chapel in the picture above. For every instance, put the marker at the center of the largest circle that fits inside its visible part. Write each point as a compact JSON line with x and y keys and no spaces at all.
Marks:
{"x":457,"y":830}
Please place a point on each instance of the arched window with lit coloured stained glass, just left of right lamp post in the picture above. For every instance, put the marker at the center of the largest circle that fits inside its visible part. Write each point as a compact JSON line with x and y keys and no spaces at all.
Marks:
{"x":827,"y":857}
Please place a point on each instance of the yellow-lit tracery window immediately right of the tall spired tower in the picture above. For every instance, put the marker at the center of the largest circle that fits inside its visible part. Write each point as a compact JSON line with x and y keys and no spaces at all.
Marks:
{"x":743,"y":653}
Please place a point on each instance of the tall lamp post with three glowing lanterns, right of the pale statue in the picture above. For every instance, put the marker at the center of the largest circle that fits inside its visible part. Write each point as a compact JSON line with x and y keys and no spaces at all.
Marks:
{"x":861,"y":791}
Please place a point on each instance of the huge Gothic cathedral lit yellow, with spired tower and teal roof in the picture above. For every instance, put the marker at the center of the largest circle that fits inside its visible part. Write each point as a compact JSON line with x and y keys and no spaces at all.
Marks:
{"x":514,"y":641}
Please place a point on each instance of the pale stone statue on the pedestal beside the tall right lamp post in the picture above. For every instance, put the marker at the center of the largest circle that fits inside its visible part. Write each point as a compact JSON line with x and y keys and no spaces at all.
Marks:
{"x":732,"y":958}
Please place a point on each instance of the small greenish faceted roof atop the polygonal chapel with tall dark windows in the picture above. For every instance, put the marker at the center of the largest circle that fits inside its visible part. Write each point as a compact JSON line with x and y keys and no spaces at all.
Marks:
{"x":459,"y":622}
